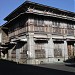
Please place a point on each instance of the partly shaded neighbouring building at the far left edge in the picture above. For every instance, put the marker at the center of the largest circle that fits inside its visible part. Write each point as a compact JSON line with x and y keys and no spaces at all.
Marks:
{"x":3,"y":38}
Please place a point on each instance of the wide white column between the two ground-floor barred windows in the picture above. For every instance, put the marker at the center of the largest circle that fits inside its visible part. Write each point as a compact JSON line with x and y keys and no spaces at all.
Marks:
{"x":49,"y":50}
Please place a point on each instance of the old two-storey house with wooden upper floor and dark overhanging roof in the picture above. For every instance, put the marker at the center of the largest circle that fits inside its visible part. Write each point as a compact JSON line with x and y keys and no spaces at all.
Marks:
{"x":40,"y":34}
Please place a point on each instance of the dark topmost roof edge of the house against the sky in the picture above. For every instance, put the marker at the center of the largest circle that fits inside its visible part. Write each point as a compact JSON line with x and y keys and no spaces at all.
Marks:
{"x":40,"y":6}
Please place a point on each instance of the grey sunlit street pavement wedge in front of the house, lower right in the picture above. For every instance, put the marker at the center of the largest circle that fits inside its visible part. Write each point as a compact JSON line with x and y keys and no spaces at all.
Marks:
{"x":69,"y":67}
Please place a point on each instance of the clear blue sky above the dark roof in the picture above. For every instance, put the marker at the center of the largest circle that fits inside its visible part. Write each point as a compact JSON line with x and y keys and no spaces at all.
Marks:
{"x":7,"y":6}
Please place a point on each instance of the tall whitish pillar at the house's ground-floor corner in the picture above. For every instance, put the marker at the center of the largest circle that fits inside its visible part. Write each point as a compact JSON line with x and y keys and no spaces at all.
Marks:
{"x":31,"y":45}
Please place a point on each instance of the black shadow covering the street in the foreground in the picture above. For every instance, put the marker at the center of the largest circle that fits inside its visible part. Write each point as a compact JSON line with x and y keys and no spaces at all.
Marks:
{"x":12,"y":68}
